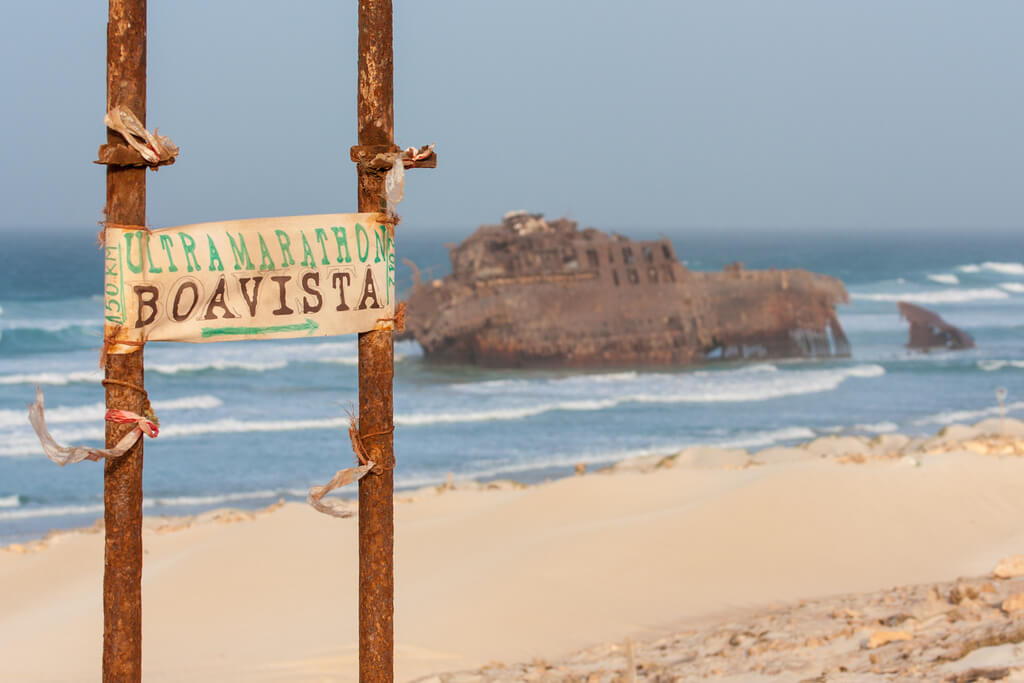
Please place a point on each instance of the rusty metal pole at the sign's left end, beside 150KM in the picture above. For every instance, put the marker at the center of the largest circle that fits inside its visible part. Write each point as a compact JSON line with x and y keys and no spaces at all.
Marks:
{"x":126,"y":35}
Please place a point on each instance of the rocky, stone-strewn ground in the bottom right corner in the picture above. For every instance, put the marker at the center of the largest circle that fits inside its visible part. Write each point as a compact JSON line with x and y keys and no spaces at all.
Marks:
{"x":960,"y":631}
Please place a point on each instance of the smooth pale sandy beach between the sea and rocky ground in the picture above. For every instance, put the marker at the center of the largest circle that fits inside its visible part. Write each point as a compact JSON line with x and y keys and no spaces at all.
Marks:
{"x":500,"y":573}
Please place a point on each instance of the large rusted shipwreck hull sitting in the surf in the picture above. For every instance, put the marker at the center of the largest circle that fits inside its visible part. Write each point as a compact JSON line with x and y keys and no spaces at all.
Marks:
{"x":532,"y":292}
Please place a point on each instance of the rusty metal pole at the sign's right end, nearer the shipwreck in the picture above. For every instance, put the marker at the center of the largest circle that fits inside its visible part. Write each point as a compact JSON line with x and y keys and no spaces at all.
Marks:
{"x":376,"y":129}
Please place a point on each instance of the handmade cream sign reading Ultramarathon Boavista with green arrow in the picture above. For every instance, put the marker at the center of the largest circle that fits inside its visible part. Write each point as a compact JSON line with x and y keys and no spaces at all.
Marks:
{"x":259,"y":279}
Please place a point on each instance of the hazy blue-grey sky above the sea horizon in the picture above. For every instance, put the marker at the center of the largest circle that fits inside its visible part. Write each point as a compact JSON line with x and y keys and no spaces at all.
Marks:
{"x":668,"y":115}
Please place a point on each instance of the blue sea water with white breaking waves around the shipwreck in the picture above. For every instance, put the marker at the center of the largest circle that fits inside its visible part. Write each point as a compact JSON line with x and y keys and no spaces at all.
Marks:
{"x":244,"y":424}
